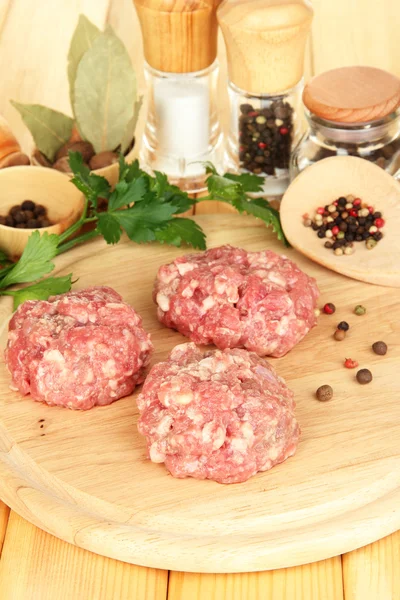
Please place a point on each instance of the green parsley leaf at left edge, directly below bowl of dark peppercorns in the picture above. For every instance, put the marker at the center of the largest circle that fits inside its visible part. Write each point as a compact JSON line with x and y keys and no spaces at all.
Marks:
{"x":35,"y":260}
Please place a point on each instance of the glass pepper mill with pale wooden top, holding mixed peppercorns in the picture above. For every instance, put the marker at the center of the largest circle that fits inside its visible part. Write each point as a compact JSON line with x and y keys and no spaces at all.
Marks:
{"x":265,"y":42}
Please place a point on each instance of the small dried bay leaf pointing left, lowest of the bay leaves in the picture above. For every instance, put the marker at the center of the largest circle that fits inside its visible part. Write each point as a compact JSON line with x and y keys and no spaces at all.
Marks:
{"x":50,"y":129}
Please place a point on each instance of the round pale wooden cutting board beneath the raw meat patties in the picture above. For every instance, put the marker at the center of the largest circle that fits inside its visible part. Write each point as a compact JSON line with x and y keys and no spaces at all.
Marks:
{"x":84,"y":477}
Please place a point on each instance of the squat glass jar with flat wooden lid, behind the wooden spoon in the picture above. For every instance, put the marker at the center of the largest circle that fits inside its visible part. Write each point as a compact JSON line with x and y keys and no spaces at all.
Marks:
{"x":352,"y":111}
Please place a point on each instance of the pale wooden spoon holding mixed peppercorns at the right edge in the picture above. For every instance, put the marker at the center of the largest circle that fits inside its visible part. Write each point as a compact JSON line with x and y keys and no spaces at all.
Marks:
{"x":324,"y":182}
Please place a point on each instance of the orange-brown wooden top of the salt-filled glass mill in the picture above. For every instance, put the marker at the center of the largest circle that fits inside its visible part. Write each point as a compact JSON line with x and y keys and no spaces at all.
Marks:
{"x":179,"y":36}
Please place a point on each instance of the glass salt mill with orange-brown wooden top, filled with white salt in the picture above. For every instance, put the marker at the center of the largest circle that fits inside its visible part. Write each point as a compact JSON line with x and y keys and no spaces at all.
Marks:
{"x":182,"y":129}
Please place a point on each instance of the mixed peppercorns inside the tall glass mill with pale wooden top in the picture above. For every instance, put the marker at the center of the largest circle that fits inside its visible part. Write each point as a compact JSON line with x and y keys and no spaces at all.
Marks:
{"x":265,"y":137}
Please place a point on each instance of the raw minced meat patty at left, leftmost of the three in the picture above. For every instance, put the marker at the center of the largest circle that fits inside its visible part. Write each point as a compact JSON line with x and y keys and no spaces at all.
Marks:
{"x":78,"y":349}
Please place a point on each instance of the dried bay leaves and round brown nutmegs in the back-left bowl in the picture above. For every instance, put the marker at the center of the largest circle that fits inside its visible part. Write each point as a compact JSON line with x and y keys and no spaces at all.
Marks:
{"x":99,"y":130}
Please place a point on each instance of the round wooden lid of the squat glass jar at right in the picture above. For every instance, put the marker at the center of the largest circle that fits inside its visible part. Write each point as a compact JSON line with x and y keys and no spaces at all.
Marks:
{"x":353,"y":94}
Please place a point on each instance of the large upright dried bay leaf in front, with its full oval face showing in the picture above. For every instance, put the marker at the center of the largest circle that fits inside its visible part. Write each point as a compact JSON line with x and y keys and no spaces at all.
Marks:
{"x":105,"y":92}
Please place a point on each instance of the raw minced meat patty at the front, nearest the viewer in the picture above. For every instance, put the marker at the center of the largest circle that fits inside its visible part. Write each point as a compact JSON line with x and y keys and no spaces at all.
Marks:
{"x":221,"y":415}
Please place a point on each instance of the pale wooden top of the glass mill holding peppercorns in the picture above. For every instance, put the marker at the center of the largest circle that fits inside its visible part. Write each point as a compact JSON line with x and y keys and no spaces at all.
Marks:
{"x":265,"y":41}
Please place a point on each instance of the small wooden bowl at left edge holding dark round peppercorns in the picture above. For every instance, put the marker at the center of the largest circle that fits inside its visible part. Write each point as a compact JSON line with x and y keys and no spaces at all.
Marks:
{"x":64,"y":202}
